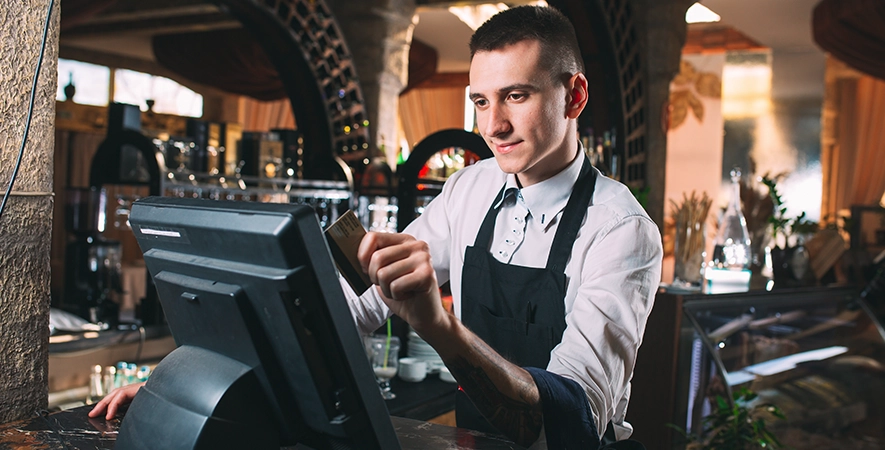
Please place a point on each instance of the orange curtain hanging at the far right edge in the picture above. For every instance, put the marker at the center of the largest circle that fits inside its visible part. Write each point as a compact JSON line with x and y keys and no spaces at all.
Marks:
{"x":853,"y":139}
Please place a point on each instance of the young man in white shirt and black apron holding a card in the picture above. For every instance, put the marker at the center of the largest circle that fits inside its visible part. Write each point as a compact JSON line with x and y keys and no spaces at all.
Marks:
{"x":553,"y":267}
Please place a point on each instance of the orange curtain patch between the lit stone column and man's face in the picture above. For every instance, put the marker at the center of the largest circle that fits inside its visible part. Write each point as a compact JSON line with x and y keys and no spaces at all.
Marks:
{"x":426,"y":110}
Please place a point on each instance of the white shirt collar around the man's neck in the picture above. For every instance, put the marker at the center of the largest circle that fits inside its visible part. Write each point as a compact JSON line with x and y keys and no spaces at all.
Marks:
{"x":546,"y":199}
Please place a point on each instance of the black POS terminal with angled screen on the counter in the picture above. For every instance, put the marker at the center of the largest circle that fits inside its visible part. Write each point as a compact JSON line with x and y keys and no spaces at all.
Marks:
{"x":268,"y":353}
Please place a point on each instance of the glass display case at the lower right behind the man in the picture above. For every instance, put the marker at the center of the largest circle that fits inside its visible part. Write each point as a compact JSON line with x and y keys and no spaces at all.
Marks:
{"x":817,"y":354}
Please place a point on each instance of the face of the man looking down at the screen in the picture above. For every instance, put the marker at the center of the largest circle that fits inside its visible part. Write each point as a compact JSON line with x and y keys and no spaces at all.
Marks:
{"x":522,"y":111}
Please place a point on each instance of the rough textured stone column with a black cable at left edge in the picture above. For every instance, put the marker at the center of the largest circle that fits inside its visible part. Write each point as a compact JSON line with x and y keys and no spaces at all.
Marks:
{"x":26,"y":223}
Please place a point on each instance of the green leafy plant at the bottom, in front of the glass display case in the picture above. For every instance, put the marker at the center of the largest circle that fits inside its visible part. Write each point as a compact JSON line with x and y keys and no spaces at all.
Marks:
{"x":737,"y":425}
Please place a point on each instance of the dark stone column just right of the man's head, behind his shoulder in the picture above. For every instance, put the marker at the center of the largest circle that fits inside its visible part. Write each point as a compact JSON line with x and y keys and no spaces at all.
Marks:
{"x":664,"y":31}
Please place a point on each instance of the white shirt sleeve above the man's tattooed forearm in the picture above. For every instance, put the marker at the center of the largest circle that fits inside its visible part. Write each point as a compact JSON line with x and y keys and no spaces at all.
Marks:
{"x":604,"y":326}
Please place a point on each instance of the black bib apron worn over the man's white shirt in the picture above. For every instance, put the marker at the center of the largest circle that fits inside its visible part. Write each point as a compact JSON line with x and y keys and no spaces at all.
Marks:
{"x":519,"y":311}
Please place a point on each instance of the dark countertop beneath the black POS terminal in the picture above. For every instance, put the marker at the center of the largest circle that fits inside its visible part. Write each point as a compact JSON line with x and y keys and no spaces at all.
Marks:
{"x":74,"y":430}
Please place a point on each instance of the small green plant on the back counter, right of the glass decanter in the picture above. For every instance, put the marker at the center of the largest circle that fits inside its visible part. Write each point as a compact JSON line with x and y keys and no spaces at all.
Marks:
{"x":788,"y":255}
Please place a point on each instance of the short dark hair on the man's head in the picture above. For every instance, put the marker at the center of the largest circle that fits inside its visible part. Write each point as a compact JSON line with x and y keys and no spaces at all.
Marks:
{"x":544,"y":24}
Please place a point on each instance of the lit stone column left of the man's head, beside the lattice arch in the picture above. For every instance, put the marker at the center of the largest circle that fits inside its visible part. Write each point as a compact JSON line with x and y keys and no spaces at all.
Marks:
{"x":379,"y":34}
